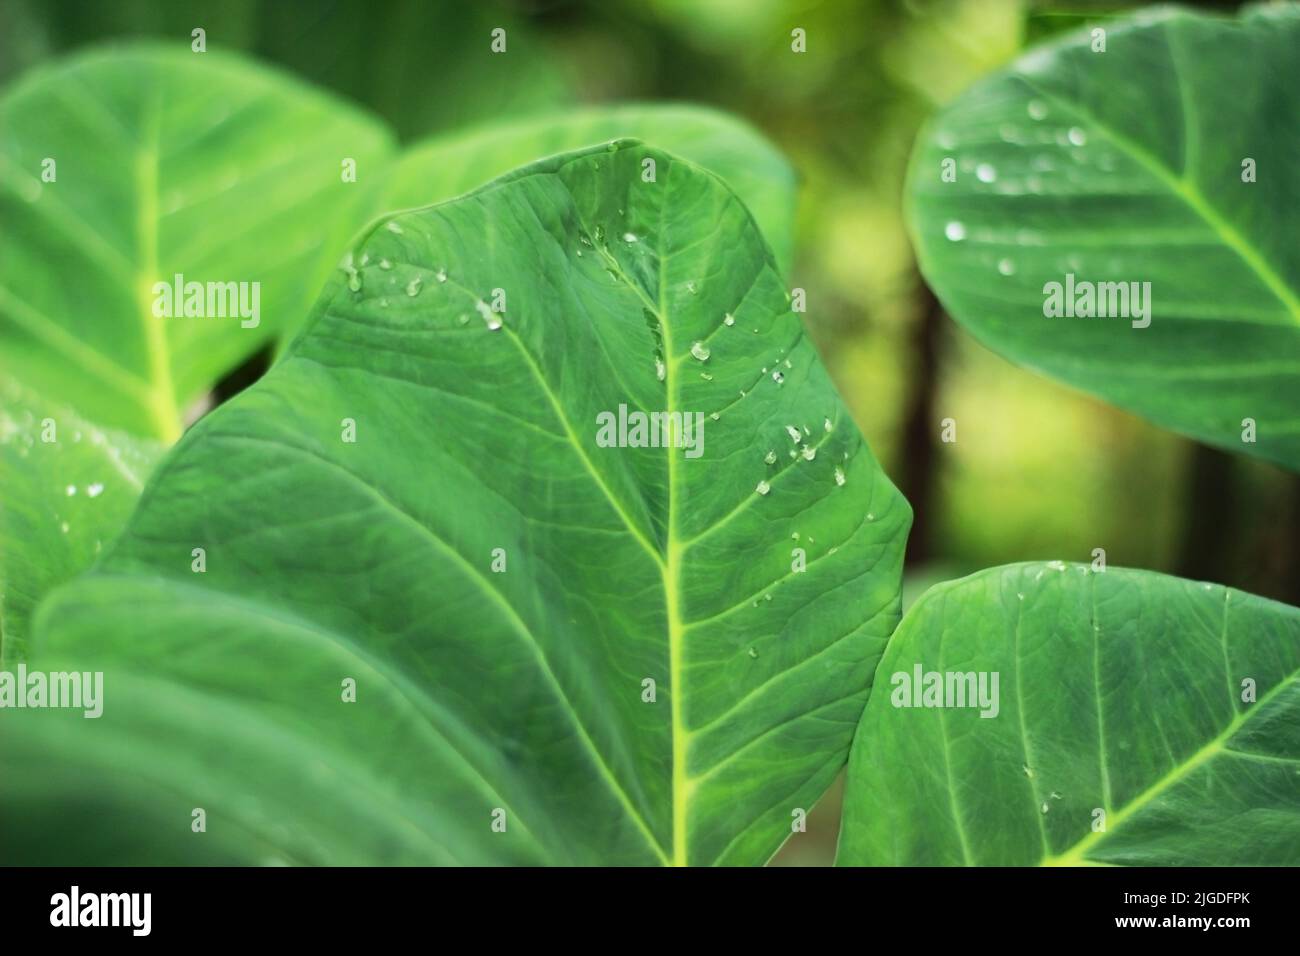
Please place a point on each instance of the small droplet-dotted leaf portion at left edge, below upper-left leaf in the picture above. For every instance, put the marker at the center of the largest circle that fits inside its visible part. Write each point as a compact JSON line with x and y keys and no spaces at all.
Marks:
{"x":67,"y":488}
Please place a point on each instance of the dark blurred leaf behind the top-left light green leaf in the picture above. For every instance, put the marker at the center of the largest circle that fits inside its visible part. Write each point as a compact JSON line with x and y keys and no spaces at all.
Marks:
{"x":423,"y":66}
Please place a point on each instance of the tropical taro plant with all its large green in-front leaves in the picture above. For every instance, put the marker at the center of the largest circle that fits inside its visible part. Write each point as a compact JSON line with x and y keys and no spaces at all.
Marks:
{"x":547,"y":538}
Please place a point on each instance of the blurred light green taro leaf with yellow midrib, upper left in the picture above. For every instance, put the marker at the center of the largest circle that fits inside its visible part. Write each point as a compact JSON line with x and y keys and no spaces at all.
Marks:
{"x":166,"y":162}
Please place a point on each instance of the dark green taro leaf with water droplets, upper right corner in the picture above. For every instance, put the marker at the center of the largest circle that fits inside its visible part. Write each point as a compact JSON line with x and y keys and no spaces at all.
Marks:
{"x":1126,"y":166}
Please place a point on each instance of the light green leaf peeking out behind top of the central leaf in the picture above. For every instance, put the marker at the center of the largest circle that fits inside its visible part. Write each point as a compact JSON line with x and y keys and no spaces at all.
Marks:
{"x":757,"y":171}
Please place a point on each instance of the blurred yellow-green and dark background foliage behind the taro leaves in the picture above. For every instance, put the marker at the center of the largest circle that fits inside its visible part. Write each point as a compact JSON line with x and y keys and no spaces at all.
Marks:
{"x":1038,"y":471}
